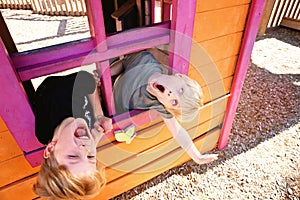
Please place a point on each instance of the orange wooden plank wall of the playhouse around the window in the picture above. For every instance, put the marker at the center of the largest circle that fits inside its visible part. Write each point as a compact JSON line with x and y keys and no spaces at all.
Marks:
{"x":218,"y":33}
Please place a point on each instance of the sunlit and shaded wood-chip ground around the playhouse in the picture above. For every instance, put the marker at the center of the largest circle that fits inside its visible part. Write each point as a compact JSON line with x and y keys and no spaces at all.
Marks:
{"x":262,"y":159}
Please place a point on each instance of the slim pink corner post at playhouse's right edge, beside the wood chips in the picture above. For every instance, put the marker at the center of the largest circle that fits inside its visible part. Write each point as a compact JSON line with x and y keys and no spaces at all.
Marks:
{"x":255,"y":14}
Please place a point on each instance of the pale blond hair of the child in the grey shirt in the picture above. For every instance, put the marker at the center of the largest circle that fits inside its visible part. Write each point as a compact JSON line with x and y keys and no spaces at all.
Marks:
{"x":189,"y":104}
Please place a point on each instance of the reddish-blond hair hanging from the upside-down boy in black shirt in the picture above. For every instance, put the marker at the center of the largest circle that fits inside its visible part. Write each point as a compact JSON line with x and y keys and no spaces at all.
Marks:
{"x":55,"y":181}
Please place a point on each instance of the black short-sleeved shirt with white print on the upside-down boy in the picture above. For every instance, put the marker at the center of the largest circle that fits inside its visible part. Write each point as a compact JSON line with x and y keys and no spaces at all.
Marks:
{"x":59,"y":97}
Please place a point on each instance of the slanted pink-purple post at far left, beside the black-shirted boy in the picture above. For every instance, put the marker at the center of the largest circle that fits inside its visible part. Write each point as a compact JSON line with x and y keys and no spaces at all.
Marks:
{"x":15,"y":108}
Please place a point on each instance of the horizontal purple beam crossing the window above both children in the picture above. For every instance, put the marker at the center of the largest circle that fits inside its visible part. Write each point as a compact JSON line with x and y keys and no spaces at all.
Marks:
{"x":58,"y":59}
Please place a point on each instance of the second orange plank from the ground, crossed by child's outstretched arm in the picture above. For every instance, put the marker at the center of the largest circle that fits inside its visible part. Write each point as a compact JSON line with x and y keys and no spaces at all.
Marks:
{"x":148,"y":156}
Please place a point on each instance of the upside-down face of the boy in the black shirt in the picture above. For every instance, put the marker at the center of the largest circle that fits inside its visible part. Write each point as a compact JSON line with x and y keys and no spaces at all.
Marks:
{"x":75,"y":147}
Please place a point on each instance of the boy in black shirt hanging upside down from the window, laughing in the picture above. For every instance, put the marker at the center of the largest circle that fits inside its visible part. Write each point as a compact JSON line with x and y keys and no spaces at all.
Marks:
{"x":70,"y":121}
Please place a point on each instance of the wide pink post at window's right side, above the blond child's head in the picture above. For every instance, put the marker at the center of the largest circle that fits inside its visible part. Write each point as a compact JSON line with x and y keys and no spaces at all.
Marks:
{"x":181,"y":34}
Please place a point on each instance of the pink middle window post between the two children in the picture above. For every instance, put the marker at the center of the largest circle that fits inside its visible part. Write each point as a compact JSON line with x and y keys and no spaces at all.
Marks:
{"x":97,"y":27}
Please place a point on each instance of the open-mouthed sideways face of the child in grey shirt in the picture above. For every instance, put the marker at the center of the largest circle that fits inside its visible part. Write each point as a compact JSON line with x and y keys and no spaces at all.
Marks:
{"x":168,"y":89}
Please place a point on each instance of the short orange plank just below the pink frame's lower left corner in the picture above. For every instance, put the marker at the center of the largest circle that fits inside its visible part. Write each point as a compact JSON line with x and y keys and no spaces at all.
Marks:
{"x":15,"y":169}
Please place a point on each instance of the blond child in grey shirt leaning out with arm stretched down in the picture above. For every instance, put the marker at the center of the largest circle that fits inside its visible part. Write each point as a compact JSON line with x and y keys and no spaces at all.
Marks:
{"x":145,"y":84}
